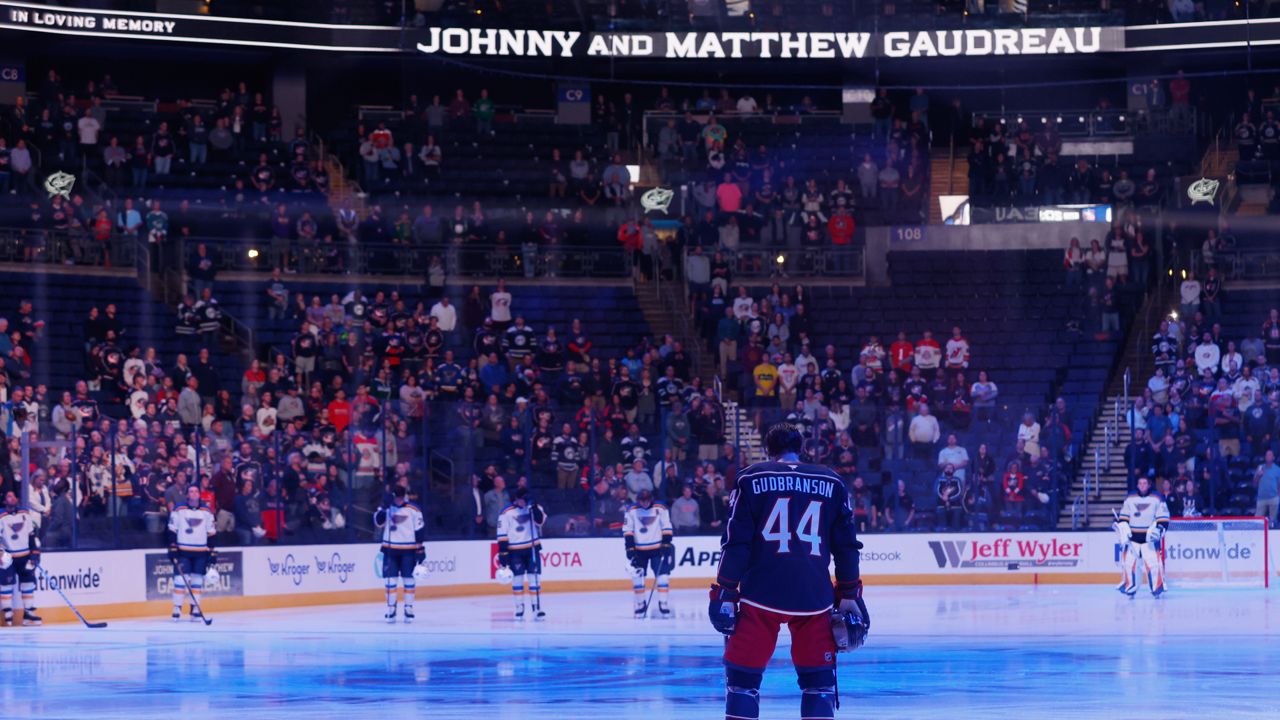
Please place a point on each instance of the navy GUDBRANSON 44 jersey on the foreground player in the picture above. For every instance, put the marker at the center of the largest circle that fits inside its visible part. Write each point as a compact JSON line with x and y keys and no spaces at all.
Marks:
{"x":788,"y":521}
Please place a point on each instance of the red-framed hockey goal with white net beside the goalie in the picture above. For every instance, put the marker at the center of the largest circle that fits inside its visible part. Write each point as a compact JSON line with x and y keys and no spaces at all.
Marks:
{"x":1218,"y":552}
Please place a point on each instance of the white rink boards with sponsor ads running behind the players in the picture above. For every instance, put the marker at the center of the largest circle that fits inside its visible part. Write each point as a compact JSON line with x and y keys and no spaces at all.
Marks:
{"x":120,"y":584}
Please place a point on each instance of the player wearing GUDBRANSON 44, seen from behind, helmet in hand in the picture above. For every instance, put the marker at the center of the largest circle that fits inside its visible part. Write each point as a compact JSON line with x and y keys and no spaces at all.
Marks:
{"x":788,"y":521}
